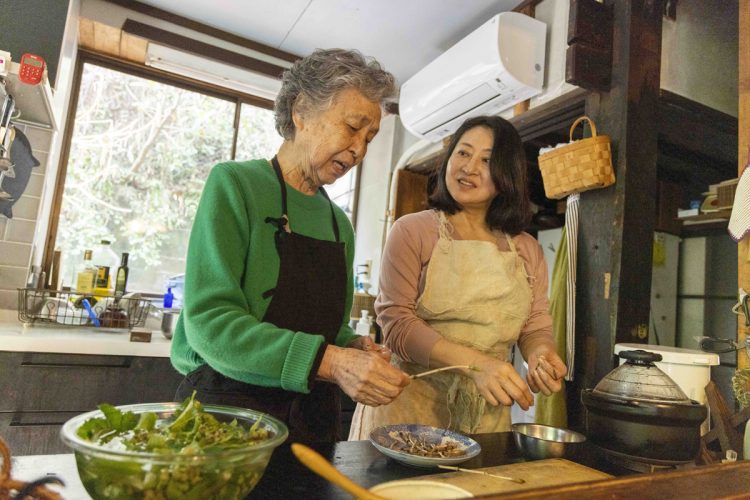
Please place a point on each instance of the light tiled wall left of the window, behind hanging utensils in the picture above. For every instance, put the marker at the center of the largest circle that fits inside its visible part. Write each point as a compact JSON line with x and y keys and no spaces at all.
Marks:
{"x":17,"y":234}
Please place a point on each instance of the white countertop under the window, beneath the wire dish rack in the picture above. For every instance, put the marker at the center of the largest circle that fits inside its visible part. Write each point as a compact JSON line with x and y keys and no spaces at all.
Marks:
{"x":17,"y":337}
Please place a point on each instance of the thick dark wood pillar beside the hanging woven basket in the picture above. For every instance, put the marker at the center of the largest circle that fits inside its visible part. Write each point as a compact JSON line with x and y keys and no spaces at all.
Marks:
{"x":617,"y":223}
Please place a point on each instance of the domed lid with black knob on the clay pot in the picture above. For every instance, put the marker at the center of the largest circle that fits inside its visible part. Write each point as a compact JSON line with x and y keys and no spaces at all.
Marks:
{"x":639,"y":379}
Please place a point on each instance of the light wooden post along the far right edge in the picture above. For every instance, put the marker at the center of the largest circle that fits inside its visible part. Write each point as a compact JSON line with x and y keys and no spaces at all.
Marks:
{"x":743,"y":249}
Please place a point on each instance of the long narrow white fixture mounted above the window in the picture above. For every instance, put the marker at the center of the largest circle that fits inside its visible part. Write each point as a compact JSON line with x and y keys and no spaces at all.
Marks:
{"x":211,"y":71}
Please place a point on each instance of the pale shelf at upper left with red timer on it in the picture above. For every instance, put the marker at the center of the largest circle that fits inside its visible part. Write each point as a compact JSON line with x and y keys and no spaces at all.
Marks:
{"x":33,"y":101}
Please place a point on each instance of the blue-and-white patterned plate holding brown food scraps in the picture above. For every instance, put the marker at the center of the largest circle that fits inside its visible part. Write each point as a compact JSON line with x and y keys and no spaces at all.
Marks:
{"x":382,"y":440}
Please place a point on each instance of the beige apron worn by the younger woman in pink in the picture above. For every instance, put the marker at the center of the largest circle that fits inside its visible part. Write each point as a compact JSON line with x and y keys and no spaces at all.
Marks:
{"x":475,"y":295}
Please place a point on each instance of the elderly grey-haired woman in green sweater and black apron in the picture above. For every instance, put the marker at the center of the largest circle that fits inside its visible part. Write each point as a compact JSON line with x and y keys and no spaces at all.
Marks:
{"x":268,"y":283}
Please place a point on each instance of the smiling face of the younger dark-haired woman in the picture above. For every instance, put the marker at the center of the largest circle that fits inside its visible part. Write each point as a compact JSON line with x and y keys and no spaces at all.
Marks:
{"x":468,"y":177}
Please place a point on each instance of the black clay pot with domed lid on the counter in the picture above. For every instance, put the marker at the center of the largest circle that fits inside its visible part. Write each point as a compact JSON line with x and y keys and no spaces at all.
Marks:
{"x":639,"y":412}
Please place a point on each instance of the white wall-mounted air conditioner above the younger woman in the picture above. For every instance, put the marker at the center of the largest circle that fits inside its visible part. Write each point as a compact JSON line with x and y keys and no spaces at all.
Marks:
{"x":498,"y":65}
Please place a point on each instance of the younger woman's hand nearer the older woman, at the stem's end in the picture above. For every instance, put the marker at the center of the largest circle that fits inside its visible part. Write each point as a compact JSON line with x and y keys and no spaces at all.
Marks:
{"x":499,"y":383}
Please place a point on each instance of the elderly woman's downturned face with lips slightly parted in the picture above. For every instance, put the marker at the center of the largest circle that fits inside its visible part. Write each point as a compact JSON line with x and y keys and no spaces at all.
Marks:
{"x":335,"y":139}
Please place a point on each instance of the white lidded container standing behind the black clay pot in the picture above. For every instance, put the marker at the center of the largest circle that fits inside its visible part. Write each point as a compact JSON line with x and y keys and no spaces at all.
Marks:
{"x":690,"y":369}
